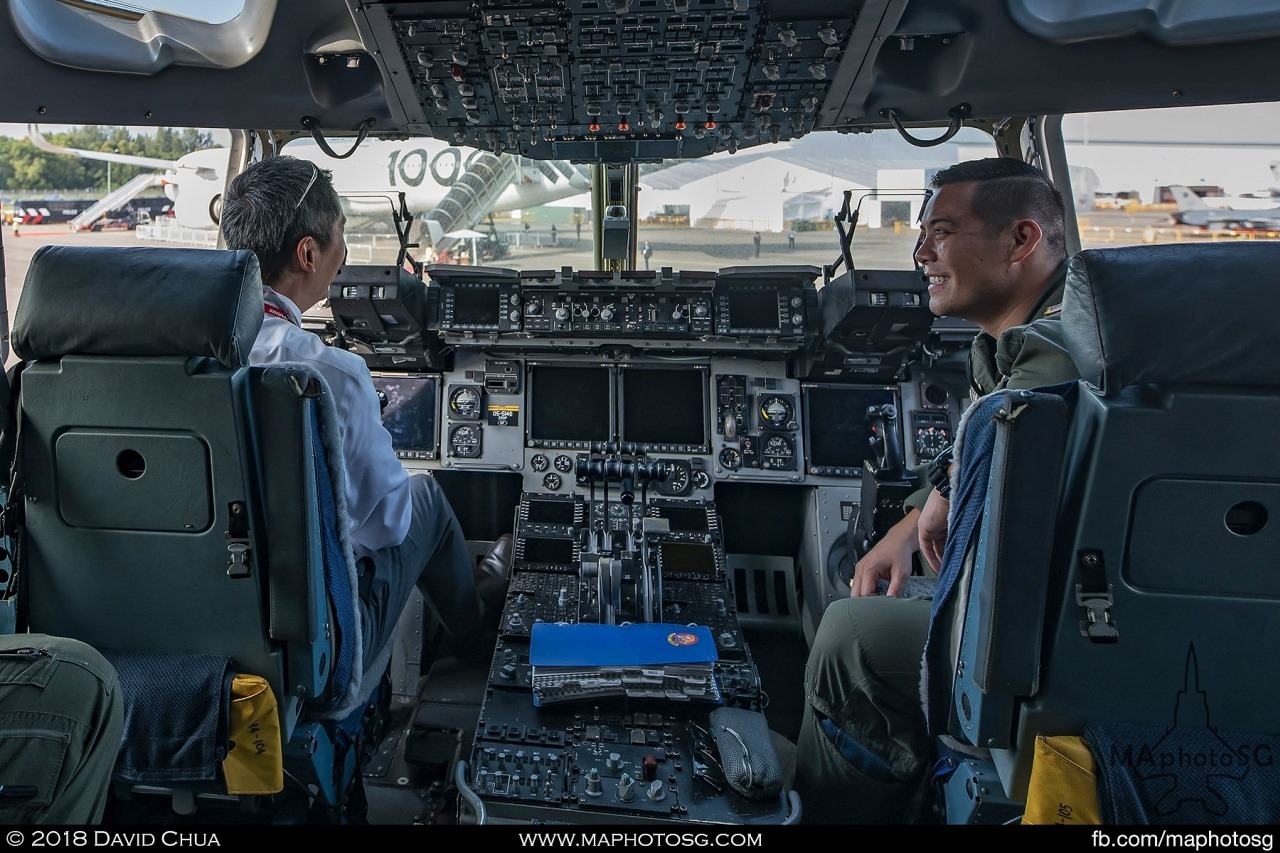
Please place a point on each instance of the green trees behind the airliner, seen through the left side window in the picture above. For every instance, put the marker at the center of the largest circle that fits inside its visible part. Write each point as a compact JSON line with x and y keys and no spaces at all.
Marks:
{"x":25,"y":167}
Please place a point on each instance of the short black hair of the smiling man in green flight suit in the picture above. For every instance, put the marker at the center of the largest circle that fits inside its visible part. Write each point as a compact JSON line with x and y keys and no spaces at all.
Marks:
{"x":1008,"y":190}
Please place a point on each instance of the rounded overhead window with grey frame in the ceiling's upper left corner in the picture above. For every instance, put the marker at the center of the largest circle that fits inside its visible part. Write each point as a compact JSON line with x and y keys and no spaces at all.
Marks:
{"x":106,"y":38}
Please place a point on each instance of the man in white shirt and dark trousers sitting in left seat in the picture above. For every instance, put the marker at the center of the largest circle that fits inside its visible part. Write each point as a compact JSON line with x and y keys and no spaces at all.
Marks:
{"x":287,"y":212}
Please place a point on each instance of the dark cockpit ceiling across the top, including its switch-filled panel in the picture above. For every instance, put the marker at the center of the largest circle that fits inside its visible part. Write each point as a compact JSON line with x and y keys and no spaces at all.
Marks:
{"x":628,"y":80}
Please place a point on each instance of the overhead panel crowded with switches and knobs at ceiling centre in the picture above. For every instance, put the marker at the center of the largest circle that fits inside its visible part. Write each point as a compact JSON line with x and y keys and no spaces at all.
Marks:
{"x":614,"y":80}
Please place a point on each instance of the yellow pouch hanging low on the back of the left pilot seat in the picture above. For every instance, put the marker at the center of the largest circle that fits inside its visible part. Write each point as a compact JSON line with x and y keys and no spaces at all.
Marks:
{"x":255,"y":763}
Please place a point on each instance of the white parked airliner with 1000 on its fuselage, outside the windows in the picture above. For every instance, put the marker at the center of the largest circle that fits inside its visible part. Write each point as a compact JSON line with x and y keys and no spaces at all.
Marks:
{"x":426,"y":171}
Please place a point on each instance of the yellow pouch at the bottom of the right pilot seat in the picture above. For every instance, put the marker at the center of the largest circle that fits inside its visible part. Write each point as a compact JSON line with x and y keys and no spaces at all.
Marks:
{"x":1064,"y":786}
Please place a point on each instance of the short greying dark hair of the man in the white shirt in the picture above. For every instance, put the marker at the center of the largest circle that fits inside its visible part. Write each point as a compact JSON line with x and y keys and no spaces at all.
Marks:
{"x":276,"y":203}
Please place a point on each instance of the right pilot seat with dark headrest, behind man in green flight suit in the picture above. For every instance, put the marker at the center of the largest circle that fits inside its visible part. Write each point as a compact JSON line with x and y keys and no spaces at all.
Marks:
{"x":1121,"y":586}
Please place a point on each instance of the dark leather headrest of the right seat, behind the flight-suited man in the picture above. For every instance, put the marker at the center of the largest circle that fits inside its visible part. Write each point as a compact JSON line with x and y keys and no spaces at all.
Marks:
{"x":1174,"y":316}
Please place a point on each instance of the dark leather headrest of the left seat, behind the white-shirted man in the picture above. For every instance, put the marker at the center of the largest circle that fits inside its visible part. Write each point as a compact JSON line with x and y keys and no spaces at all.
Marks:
{"x":140,"y":302}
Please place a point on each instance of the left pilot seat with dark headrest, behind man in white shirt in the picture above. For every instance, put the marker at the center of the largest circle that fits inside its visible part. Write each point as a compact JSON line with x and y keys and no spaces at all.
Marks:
{"x":184,"y":513}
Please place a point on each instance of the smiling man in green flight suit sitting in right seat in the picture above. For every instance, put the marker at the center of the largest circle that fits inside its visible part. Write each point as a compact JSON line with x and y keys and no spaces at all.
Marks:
{"x":993,"y":247}
